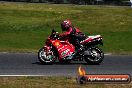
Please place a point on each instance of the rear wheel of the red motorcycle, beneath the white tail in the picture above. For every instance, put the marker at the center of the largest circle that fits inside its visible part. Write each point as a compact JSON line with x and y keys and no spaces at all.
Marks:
{"x":95,"y":56}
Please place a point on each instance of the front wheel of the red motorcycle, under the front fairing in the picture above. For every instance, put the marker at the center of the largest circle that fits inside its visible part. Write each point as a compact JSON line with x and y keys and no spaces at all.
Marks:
{"x":46,"y":57}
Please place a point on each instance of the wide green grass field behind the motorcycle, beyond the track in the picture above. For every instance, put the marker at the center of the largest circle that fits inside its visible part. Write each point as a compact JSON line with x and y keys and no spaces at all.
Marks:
{"x":25,"y":26}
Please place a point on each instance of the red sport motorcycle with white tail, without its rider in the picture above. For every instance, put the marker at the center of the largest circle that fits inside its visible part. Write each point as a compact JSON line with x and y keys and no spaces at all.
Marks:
{"x":55,"y":48}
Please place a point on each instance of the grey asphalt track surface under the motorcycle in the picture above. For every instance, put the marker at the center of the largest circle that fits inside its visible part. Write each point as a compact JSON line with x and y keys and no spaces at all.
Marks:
{"x":28,"y":64}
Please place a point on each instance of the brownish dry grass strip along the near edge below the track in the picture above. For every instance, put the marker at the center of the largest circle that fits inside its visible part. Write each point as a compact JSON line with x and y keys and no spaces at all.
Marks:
{"x":51,"y":82}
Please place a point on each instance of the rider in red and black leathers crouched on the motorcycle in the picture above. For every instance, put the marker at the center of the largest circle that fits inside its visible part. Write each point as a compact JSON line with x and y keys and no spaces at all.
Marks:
{"x":72,"y":34}
